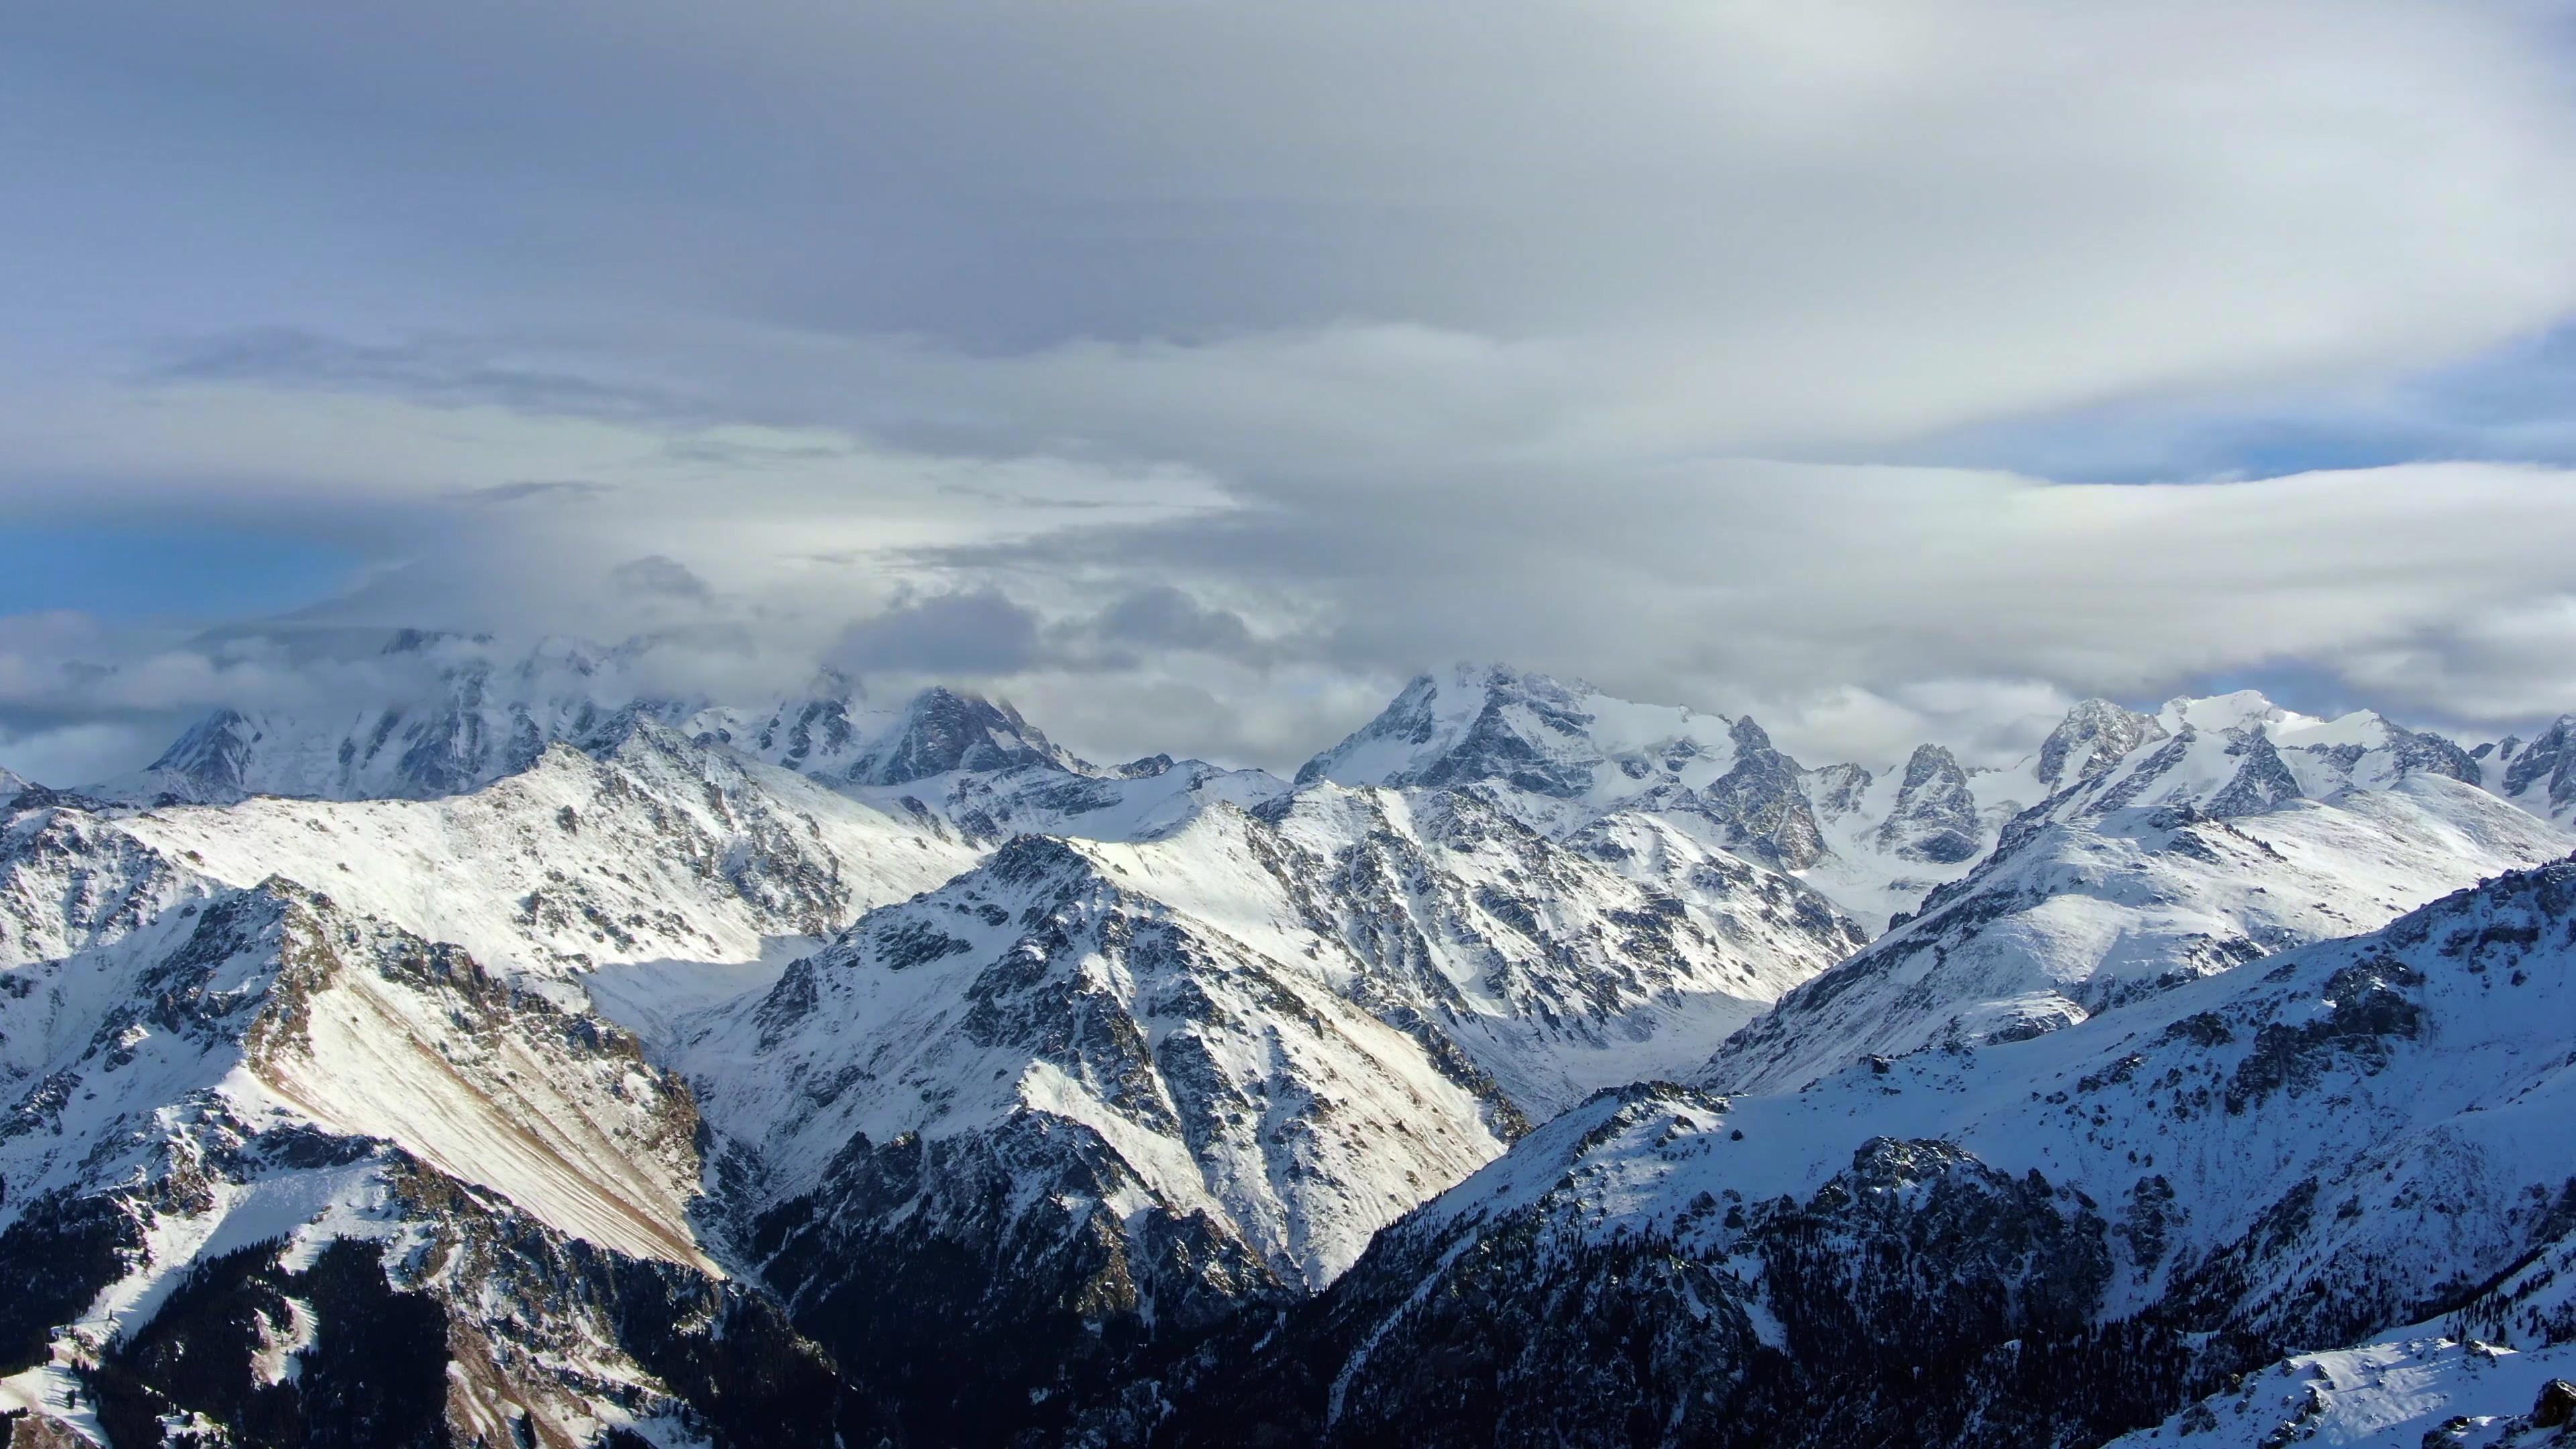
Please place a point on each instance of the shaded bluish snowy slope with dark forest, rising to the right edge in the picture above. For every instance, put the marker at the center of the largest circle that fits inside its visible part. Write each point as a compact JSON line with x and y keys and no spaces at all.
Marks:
{"x":2031,"y":1244}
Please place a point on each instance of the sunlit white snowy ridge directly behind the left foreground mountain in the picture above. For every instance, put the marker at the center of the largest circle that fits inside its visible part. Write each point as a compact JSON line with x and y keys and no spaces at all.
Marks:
{"x":656,"y":852}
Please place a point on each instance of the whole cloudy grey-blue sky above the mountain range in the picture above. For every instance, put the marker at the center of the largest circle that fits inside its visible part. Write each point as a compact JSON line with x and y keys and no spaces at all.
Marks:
{"x":1197,"y":373}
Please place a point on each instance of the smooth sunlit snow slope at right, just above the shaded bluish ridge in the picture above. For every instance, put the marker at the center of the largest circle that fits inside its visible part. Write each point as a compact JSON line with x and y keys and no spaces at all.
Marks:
{"x":2186,"y":860}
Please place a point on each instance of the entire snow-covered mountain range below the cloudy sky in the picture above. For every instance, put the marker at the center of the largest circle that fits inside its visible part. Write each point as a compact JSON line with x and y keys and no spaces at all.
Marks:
{"x":527,"y":1061}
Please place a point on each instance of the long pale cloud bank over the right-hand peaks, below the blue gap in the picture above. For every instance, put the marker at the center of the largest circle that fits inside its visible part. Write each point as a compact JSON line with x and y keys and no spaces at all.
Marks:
{"x":1951,"y":605}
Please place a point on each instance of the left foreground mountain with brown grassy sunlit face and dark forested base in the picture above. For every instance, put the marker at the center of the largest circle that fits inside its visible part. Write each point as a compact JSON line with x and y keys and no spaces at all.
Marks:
{"x":285,"y":1172}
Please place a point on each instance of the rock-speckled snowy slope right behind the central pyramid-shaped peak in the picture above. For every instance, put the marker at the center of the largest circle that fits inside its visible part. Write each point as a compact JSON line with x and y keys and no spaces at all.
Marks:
{"x":1555,"y":966}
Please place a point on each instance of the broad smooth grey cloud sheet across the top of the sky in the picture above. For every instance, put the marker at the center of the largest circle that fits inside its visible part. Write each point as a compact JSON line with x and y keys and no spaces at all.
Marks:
{"x":1671,"y":226}
